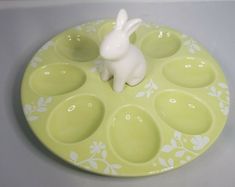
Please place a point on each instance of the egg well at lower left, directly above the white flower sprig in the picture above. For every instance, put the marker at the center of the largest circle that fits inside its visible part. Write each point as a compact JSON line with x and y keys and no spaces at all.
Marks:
{"x":76,"y":119}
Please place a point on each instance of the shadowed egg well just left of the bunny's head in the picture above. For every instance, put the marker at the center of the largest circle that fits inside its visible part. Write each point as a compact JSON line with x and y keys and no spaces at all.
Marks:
{"x":77,"y":47}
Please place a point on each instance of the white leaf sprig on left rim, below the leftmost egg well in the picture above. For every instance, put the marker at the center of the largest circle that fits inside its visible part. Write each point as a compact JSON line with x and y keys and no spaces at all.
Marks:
{"x":31,"y":110}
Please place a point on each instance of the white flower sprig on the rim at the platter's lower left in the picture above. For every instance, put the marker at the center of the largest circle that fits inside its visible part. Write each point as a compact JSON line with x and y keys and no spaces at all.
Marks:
{"x":98,"y":154}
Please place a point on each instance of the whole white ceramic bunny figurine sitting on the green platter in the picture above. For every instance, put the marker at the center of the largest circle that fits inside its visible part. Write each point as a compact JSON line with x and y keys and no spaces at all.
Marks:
{"x":123,"y":61}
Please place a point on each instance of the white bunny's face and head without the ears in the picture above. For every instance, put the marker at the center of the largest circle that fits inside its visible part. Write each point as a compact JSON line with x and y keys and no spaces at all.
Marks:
{"x":114,"y":46}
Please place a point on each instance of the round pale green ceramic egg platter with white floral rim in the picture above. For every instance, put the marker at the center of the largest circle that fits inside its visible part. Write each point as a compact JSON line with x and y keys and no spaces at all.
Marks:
{"x":169,"y":119}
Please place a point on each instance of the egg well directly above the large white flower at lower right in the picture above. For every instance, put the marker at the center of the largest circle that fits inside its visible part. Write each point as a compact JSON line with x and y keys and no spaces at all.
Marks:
{"x":183,"y":112}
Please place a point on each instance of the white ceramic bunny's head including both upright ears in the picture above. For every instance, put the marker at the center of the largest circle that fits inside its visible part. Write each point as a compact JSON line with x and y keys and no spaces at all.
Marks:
{"x":116,"y":43}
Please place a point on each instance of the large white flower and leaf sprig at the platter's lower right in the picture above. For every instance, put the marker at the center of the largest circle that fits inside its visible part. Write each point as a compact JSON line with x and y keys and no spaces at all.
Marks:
{"x":180,"y":147}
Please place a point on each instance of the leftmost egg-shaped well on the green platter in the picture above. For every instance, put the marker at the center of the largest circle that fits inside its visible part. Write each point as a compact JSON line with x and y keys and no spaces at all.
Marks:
{"x":57,"y":79}
